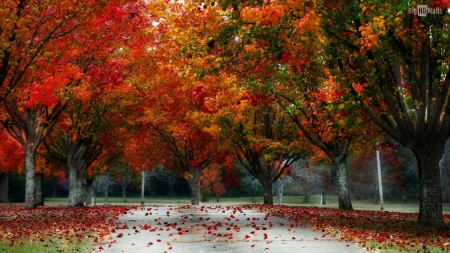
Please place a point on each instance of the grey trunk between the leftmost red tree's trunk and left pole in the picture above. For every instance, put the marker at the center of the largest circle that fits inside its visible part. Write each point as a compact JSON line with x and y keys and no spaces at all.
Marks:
{"x":75,"y":185}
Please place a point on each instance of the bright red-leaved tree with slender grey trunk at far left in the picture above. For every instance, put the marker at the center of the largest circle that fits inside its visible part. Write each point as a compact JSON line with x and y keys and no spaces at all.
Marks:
{"x":45,"y":88}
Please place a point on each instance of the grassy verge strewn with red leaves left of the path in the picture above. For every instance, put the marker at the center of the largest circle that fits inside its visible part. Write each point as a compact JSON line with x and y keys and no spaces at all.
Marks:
{"x":55,"y":228}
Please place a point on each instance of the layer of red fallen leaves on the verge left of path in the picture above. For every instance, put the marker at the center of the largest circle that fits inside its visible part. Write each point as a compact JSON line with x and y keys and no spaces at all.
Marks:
{"x":17,"y":223}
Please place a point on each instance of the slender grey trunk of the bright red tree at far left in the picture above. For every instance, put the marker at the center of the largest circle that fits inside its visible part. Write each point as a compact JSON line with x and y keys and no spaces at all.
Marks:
{"x":30,"y":188}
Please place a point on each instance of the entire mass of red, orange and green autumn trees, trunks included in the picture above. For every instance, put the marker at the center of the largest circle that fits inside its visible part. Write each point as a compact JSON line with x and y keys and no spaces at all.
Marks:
{"x":204,"y":86}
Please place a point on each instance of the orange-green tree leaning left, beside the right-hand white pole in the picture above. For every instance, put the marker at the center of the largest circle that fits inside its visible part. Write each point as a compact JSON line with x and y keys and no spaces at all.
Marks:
{"x":269,"y":47}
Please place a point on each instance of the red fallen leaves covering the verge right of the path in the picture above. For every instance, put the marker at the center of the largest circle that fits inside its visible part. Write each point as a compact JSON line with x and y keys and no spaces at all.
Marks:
{"x":389,"y":229}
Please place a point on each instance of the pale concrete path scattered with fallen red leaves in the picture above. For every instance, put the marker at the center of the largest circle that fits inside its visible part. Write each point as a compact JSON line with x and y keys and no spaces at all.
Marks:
{"x":184,"y":229}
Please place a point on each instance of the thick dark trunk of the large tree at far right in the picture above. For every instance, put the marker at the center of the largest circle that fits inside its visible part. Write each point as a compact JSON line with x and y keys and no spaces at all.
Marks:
{"x":430,"y":192}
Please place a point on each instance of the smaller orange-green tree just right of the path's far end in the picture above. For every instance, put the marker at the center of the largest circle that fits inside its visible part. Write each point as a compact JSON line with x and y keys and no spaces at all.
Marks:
{"x":264,"y":140}
